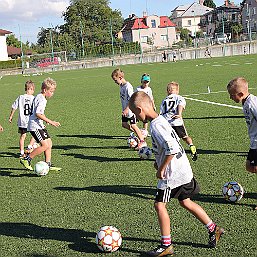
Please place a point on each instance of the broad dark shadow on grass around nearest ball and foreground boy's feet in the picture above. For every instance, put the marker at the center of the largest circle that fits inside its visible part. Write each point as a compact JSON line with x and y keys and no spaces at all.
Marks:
{"x":79,"y":240}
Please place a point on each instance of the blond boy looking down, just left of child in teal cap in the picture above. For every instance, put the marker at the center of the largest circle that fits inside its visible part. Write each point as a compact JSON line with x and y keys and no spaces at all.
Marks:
{"x":126,"y":90}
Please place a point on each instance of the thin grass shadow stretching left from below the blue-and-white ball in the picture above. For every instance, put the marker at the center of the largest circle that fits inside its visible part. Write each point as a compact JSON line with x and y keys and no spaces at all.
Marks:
{"x":101,"y":158}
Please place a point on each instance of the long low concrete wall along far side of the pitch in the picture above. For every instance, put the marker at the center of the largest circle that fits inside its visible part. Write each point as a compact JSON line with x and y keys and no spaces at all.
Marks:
{"x":231,"y":49}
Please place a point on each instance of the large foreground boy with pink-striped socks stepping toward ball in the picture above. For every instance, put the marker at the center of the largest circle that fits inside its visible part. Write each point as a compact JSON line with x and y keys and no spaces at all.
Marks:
{"x":174,"y":173}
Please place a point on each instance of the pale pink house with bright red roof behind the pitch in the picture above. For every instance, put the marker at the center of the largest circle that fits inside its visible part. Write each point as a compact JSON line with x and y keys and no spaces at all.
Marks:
{"x":149,"y":31}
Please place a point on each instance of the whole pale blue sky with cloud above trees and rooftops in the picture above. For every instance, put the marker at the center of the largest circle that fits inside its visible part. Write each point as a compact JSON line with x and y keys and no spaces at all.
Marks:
{"x":25,"y":17}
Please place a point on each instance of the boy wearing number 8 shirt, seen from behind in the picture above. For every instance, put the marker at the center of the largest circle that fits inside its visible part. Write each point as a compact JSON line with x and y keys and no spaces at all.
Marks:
{"x":24,"y":104}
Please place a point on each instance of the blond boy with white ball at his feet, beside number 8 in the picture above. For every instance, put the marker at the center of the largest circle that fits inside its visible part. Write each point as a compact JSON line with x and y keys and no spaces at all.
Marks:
{"x":37,"y":128}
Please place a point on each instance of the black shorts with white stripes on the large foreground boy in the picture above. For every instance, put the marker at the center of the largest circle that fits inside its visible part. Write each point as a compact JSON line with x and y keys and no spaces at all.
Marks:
{"x":181,"y":193}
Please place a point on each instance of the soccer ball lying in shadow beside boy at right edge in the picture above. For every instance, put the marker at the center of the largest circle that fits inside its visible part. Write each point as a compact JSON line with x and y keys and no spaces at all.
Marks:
{"x":232,"y":191}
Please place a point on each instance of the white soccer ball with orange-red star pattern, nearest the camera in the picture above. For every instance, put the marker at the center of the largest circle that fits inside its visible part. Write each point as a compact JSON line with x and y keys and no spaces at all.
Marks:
{"x":108,"y":239}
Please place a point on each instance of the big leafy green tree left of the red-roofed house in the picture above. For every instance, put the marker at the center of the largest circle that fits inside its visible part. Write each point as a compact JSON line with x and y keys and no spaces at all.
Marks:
{"x":91,"y":21}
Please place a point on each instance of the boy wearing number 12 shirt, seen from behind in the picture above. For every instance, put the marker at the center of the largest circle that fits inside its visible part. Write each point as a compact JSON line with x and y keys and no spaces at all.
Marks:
{"x":171,"y":109}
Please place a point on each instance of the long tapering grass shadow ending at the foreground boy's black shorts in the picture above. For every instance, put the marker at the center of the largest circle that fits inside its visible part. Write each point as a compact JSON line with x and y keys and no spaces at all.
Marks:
{"x":144,"y":192}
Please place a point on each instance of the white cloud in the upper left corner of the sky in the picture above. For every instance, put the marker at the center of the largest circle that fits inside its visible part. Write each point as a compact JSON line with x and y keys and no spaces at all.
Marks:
{"x":30,"y":10}
